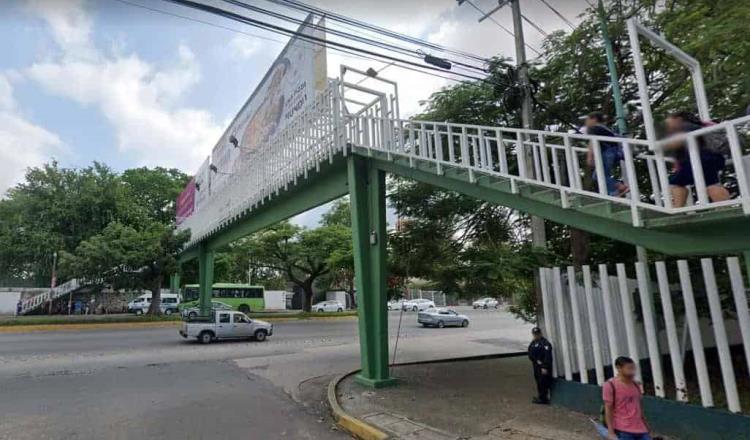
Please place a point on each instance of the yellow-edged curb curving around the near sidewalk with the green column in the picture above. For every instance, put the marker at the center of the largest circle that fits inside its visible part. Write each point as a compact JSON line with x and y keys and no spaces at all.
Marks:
{"x":363,"y":430}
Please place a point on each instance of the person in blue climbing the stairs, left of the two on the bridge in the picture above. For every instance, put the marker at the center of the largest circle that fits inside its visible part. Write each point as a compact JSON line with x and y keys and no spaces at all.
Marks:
{"x":611,"y":153}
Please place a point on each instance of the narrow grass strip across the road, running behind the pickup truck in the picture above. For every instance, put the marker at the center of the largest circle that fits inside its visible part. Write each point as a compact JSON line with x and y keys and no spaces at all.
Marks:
{"x":106,"y":319}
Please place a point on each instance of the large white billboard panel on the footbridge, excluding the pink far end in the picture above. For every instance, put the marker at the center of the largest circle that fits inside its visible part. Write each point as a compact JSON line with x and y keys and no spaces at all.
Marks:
{"x":290,"y":82}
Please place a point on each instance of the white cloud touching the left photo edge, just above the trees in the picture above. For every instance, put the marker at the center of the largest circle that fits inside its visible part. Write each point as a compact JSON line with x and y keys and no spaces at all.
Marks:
{"x":22,"y":144}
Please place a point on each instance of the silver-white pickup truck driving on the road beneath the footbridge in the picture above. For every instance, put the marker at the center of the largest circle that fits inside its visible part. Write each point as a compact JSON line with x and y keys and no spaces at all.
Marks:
{"x":225,"y":324}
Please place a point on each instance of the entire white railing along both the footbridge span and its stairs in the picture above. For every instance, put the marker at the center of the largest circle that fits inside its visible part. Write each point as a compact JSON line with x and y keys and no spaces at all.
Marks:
{"x":556,"y":161}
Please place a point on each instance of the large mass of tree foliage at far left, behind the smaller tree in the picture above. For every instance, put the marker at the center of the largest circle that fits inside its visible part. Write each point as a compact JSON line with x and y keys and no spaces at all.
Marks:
{"x":56,"y":209}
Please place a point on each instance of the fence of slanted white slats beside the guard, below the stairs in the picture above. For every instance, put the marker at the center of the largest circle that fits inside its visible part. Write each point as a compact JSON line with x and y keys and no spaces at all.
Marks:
{"x":591,"y":318}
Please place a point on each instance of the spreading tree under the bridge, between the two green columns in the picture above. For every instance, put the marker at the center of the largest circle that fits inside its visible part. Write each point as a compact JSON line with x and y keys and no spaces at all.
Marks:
{"x":301,"y":255}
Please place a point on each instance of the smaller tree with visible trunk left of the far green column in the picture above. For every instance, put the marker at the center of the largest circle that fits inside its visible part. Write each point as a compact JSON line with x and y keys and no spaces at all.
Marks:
{"x":124,"y":256}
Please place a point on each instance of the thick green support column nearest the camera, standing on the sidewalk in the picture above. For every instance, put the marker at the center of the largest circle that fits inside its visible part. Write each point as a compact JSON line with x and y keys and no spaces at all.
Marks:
{"x":367,"y":190}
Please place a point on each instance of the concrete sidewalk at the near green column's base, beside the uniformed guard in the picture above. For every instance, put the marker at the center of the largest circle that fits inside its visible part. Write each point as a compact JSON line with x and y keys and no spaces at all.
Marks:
{"x":483,"y":399}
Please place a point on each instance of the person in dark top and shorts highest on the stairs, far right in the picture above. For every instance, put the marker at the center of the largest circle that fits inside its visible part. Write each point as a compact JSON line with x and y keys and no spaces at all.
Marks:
{"x":712,"y":161}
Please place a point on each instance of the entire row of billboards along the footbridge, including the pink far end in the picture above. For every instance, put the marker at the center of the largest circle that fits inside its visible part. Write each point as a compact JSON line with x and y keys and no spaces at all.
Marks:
{"x":293,"y":79}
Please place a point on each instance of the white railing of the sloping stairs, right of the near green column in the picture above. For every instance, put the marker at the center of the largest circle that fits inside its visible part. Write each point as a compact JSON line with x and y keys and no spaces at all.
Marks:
{"x":557,"y":160}
